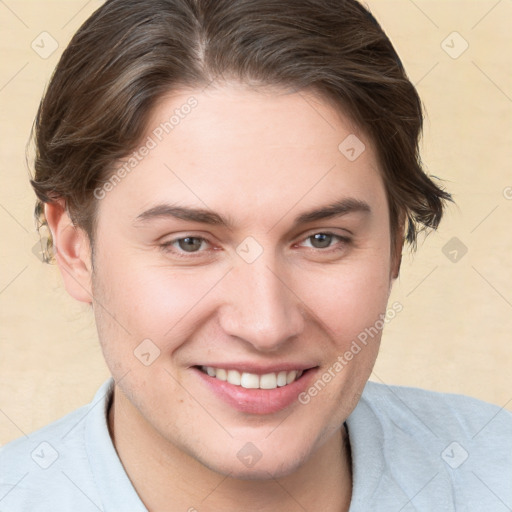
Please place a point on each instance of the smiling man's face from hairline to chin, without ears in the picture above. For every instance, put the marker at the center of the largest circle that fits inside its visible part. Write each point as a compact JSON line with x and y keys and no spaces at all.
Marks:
{"x":243,"y":245}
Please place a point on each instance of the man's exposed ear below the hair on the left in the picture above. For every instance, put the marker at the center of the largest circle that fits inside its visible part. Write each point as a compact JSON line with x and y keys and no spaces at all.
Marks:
{"x":72,"y":251}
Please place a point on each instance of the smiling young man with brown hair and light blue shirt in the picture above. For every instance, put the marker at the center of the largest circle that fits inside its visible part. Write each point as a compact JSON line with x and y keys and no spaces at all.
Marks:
{"x":229,"y":185}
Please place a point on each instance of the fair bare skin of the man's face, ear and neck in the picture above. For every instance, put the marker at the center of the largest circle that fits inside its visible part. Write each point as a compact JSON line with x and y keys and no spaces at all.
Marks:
{"x":259,"y":159}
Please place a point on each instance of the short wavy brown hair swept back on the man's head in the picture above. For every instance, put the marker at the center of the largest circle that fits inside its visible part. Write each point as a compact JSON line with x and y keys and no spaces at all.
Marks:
{"x":129,"y":53}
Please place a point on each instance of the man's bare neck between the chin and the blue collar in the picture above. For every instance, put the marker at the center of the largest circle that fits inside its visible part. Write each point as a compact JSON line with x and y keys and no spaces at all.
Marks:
{"x":166,"y":478}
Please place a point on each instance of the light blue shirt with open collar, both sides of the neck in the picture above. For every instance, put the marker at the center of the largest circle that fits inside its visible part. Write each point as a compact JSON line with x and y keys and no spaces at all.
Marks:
{"x":412,"y":450}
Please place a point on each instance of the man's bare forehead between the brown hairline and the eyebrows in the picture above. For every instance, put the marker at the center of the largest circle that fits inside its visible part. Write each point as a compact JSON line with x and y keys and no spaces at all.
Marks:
{"x":232,"y":146}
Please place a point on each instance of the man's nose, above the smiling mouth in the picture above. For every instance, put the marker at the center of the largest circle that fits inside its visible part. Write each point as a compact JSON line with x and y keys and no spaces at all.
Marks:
{"x":261,"y":308}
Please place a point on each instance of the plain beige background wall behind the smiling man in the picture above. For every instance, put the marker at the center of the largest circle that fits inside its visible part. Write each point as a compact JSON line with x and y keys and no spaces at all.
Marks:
{"x":455,"y":330}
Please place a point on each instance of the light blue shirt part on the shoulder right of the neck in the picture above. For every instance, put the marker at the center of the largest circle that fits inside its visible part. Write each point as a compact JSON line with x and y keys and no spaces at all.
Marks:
{"x":457,"y":450}
